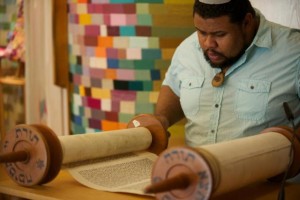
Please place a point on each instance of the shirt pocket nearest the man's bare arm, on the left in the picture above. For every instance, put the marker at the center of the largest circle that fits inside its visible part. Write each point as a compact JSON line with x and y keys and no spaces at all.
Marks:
{"x":190,"y":95}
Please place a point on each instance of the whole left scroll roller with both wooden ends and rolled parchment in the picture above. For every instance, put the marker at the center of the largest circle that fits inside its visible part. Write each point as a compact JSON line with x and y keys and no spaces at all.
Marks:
{"x":33,"y":154}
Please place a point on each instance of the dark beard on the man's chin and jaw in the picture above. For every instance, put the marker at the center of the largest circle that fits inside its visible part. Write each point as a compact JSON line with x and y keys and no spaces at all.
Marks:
{"x":227,"y":62}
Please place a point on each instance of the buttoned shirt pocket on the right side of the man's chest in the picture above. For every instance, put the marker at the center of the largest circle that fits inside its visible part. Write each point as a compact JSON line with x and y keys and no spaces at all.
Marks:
{"x":251,"y":99}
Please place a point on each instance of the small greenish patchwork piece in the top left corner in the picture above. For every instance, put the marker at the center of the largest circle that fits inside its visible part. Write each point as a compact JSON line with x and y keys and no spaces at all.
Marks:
{"x":8,"y":16}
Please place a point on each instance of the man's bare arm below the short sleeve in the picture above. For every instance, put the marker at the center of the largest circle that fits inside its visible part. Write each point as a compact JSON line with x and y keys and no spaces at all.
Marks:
{"x":168,"y":108}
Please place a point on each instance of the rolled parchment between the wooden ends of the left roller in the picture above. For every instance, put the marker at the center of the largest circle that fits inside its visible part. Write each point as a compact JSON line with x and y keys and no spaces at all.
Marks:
{"x":97,"y":145}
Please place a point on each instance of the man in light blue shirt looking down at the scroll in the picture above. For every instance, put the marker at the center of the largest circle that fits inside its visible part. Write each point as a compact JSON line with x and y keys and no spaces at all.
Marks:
{"x":230,"y":78}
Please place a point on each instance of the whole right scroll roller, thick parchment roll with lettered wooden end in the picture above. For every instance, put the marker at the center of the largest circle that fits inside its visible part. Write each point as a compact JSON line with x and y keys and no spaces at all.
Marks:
{"x":210,"y":170}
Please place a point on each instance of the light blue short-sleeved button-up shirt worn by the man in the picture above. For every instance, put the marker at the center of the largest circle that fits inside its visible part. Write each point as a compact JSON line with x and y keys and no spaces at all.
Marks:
{"x":254,"y":90}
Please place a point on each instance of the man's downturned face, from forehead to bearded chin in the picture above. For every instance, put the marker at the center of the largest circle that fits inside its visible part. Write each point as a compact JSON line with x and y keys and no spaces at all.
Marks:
{"x":223,"y":42}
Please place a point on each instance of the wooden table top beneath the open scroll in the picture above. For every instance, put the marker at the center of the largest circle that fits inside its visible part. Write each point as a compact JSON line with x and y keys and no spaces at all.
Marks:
{"x":65,"y":187}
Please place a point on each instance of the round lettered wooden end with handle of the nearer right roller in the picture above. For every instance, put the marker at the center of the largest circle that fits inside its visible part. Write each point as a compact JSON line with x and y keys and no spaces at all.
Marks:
{"x":181,"y":173}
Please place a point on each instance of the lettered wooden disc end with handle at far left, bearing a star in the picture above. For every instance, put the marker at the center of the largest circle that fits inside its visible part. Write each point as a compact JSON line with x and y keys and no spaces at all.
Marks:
{"x":31,"y":155}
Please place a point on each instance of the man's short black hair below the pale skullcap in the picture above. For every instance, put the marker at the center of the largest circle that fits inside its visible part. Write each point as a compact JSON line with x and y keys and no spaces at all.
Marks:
{"x":235,"y":9}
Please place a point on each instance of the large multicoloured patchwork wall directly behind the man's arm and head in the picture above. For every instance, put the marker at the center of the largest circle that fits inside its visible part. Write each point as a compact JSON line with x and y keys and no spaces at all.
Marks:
{"x":119,"y":53}
